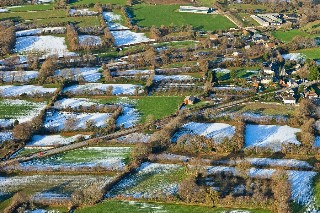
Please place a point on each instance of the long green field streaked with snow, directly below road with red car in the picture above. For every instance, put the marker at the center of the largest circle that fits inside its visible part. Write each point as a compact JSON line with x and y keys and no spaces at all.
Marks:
{"x":111,"y":158}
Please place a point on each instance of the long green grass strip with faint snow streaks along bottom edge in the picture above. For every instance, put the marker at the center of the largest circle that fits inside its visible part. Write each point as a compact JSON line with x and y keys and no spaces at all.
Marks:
{"x":112,"y":206}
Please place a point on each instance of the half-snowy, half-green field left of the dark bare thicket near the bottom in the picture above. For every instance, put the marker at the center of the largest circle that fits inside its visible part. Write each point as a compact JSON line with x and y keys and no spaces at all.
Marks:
{"x":134,"y":186}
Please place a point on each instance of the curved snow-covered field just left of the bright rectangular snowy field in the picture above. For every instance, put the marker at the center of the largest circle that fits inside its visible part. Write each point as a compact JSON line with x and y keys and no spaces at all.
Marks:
{"x":216,"y":131}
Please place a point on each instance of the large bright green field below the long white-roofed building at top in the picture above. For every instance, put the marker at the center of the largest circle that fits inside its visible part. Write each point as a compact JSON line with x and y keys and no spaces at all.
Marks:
{"x":149,"y":15}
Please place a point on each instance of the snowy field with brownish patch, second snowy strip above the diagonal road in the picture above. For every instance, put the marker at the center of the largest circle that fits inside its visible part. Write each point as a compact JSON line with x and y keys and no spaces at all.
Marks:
{"x":58,"y":120}
